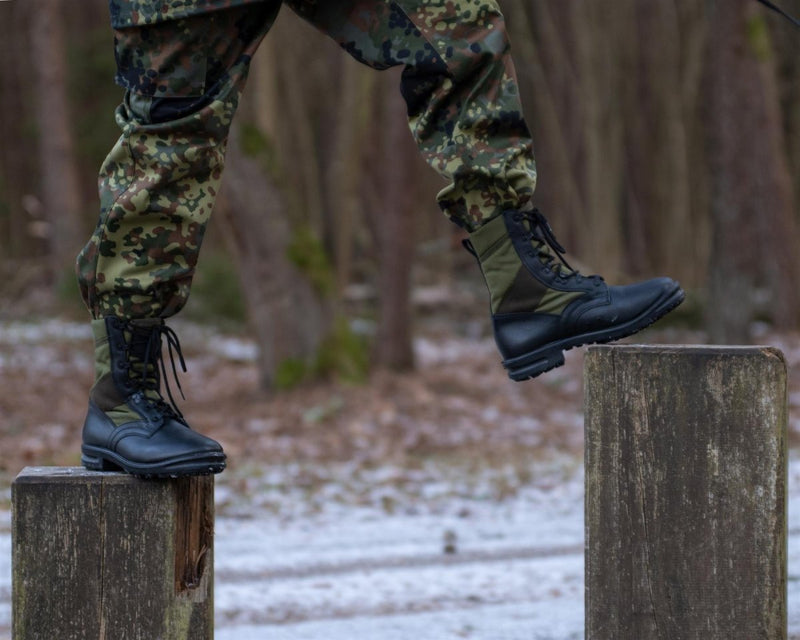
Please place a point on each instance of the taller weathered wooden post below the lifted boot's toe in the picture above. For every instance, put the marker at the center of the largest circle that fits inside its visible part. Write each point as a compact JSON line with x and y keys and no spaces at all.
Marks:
{"x":685,"y":493}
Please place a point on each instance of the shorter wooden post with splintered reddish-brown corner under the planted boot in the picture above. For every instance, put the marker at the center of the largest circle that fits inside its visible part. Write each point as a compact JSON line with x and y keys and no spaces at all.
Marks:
{"x":108,"y":556}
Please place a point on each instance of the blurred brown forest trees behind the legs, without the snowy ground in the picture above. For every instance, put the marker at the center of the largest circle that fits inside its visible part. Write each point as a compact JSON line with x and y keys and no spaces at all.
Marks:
{"x":667,"y":136}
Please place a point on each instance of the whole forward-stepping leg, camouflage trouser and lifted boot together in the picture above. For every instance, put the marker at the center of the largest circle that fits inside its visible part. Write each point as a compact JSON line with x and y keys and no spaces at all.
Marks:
{"x":464,"y":110}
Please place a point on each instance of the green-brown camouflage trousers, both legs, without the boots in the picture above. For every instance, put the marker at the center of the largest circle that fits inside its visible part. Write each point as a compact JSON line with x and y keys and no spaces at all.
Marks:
{"x":184,"y":64}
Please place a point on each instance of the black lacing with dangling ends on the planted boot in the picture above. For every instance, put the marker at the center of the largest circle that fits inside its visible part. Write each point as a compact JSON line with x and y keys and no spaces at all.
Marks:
{"x":146,"y":365}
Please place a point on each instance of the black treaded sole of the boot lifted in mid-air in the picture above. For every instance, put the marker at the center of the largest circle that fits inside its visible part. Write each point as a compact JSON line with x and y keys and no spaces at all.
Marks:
{"x":550,"y":356}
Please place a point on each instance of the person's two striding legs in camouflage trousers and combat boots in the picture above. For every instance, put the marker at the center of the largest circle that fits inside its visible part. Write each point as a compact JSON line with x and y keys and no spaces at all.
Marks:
{"x":184,"y":65}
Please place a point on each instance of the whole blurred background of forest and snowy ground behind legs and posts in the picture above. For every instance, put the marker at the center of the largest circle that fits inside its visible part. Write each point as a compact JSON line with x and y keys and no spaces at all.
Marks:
{"x":667,"y":135}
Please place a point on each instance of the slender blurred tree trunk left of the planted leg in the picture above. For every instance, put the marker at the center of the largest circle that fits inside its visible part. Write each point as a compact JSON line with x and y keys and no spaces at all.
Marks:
{"x":60,"y":186}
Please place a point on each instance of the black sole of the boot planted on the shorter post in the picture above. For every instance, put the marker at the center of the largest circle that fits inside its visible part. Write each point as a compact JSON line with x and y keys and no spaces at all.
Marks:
{"x":98,"y":459}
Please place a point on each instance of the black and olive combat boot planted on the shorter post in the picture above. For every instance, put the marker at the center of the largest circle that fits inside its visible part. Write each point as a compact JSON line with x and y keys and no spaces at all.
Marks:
{"x":129,"y":425}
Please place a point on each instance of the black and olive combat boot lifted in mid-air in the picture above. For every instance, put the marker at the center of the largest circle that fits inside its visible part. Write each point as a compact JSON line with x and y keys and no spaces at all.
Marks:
{"x":541,"y":306}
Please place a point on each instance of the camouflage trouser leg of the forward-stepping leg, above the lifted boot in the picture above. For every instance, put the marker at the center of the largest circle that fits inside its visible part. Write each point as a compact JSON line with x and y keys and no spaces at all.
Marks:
{"x":459,"y":85}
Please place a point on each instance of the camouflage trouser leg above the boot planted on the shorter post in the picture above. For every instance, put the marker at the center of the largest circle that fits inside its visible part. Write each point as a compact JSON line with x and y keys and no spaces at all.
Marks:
{"x":183,"y":79}
